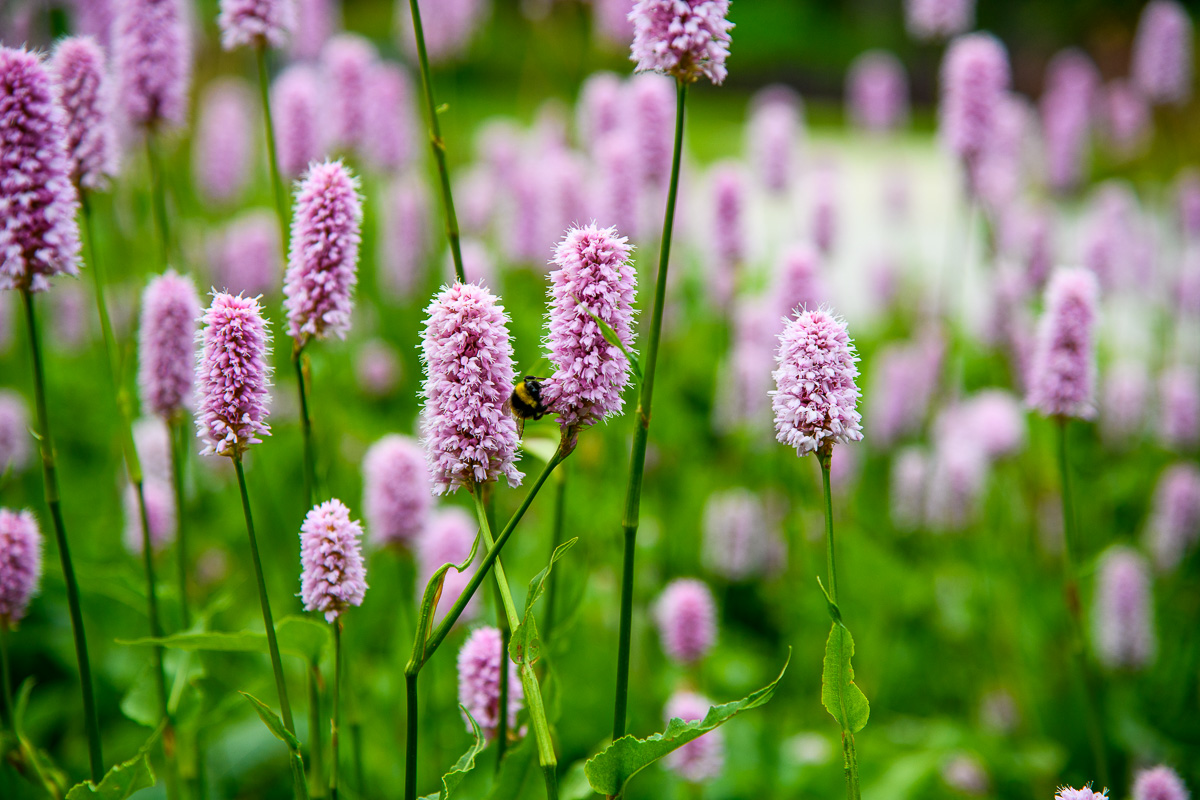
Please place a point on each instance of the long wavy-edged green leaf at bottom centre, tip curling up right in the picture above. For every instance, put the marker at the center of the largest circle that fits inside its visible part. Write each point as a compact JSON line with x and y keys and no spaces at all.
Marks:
{"x":611,"y":769}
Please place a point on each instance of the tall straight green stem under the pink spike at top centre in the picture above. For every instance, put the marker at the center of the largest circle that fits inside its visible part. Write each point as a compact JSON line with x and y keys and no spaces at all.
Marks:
{"x":643,"y":432}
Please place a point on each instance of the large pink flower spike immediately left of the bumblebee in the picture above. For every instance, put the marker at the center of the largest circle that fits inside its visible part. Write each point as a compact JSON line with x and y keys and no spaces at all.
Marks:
{"x":469,"y":377}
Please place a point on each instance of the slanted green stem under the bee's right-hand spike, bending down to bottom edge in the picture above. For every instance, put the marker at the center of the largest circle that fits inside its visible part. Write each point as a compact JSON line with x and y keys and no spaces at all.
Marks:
{"x":425,"y":648}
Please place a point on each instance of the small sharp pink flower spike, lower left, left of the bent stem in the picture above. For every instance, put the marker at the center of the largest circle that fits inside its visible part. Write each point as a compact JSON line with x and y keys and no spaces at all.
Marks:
{"x":334,"y":578}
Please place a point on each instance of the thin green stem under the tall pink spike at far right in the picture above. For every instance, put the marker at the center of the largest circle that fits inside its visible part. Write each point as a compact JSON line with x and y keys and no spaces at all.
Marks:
{"x":1075,"y":609}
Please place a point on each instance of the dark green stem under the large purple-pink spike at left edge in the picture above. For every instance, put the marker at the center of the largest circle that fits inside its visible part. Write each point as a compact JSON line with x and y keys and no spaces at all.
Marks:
{"x":50,"y":476}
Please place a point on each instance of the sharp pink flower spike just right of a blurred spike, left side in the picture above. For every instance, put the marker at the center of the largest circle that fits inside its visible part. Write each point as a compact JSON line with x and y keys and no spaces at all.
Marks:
{"x":233,"y":376}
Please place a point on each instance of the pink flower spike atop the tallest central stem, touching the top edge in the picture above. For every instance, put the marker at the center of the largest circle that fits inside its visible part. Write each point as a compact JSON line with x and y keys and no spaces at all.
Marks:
{"x":687,"y":39}
